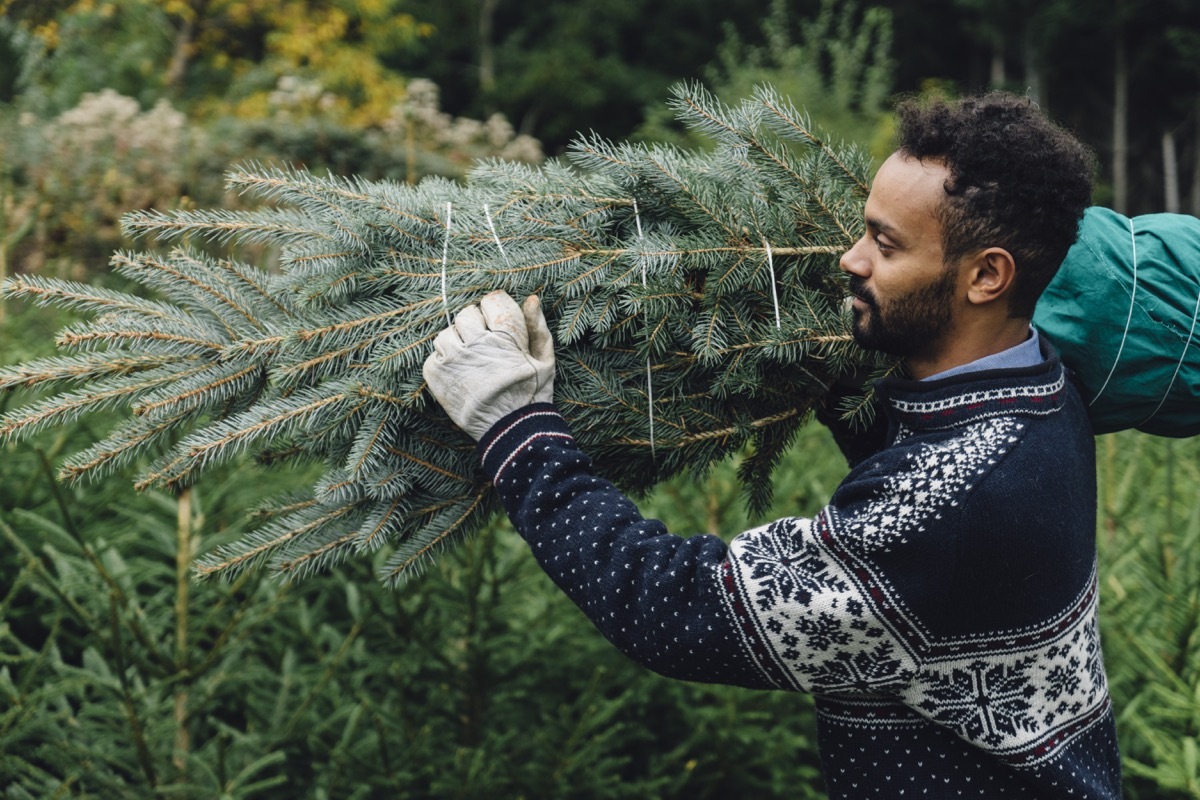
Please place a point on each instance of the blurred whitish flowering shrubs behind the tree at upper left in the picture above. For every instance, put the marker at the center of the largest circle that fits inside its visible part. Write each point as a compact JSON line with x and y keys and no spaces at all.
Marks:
{"x":68,"y":181}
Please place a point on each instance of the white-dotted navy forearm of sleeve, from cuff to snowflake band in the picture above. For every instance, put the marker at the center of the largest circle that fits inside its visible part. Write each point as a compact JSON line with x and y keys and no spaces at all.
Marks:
{"x":656,"y":597}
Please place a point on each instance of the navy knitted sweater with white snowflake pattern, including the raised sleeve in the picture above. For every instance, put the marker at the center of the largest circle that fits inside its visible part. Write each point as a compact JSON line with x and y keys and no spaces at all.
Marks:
{"x":941,"y":607}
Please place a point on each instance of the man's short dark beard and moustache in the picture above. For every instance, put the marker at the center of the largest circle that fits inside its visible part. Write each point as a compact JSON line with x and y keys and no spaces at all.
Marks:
{"x":907,"y":324}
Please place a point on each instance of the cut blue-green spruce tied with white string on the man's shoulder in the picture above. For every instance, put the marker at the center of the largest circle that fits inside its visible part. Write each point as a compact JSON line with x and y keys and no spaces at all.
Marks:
{"x":695,"y":299}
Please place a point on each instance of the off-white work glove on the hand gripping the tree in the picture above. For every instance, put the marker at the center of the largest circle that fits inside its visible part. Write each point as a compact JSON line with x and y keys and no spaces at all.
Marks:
{"x":495,"y":359}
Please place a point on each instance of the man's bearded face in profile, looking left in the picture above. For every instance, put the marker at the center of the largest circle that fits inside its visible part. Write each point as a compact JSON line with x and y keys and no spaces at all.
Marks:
{"x":904,"y":292}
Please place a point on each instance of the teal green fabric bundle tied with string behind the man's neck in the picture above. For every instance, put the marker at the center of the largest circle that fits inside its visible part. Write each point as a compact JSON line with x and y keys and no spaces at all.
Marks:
{"x":1123,"y":312}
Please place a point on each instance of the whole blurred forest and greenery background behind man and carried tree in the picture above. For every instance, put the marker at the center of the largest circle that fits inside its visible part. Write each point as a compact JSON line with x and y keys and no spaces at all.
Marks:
{"x":123,"y":678}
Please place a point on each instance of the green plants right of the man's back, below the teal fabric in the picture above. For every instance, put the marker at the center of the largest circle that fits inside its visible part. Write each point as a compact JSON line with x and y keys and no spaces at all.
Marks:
{"x":1150,"y":607}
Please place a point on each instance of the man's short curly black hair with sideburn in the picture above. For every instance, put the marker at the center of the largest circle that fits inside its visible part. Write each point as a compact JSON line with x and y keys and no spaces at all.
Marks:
{"x":1018,"y":182}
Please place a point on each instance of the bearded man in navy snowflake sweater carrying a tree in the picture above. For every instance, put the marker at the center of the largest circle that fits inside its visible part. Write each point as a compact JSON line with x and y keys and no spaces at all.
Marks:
{"x":943,"y":606}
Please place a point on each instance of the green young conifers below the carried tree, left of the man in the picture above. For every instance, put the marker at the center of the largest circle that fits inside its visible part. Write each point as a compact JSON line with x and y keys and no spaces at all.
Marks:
{"x":123,"y":678}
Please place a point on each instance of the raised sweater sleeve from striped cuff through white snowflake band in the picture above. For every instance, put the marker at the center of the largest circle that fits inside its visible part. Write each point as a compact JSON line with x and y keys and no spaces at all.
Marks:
{"x":688,"y":607}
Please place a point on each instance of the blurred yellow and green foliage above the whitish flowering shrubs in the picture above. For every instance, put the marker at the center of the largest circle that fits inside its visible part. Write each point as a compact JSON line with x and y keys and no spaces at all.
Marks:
{"x":213,"y":55}
